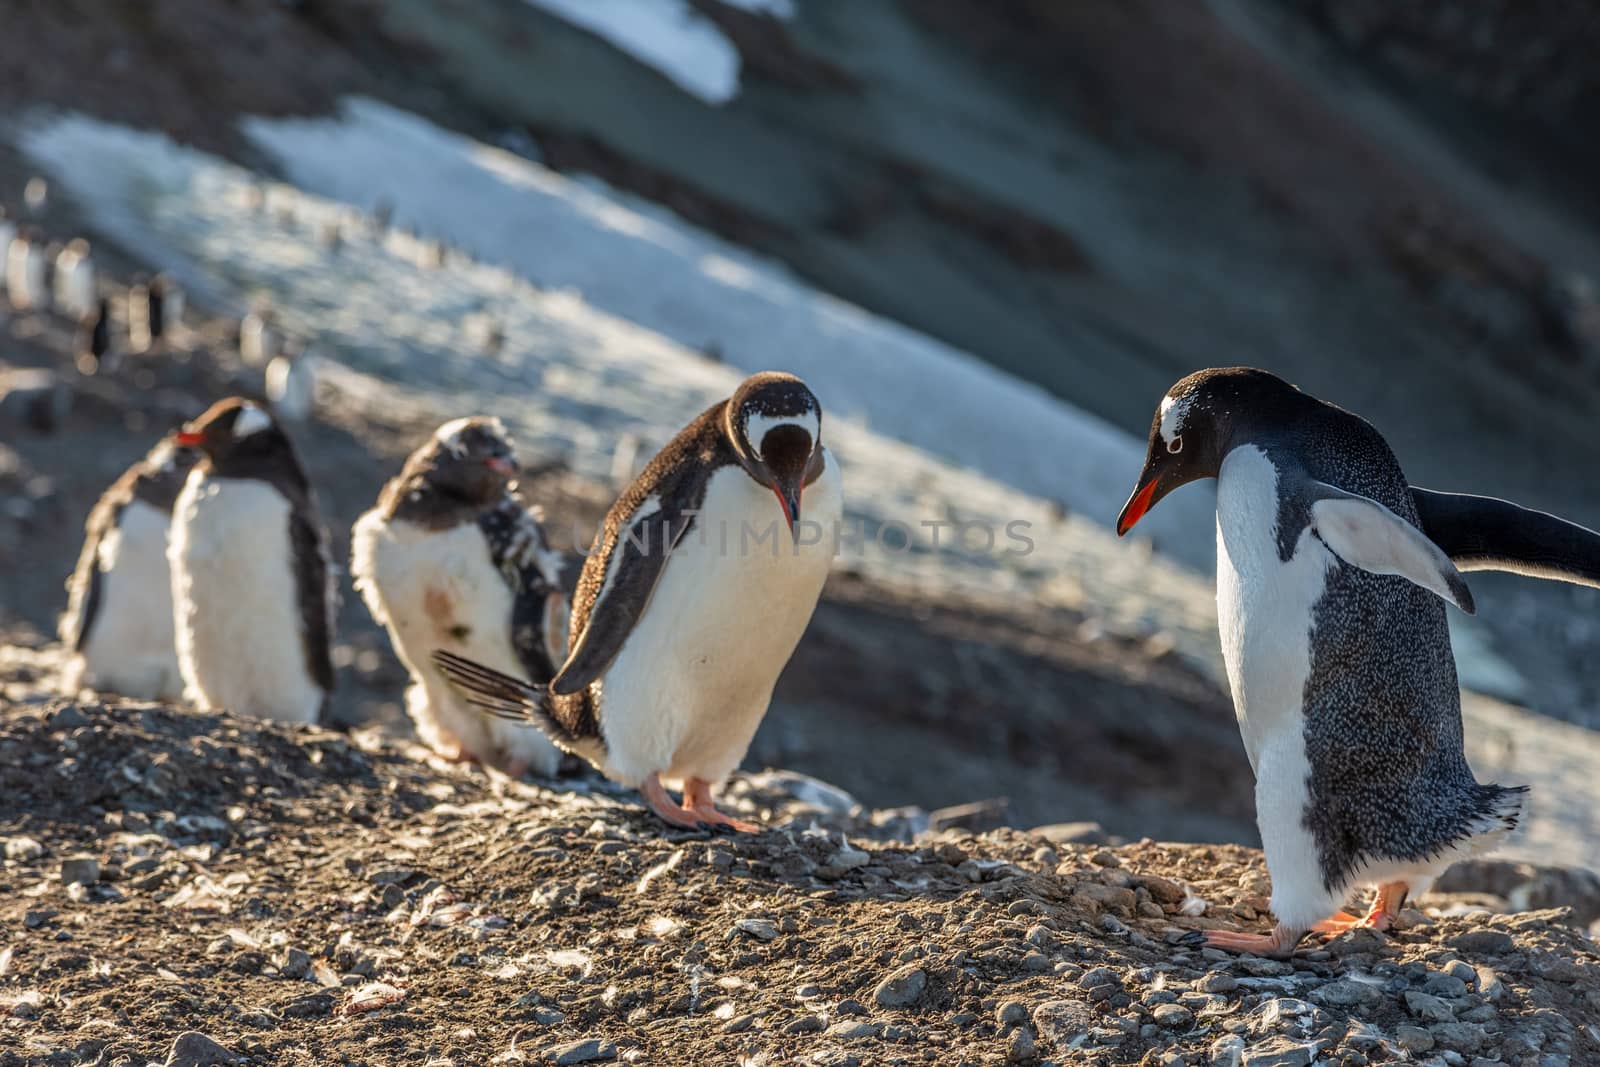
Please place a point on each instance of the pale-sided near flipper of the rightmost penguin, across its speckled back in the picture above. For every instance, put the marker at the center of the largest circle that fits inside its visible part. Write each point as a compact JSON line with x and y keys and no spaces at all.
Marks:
{"x":1367,"y":535}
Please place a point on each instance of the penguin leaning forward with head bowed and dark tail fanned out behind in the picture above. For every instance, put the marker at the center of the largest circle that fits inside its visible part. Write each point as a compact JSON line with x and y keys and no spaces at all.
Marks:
{"x":695,"y":596}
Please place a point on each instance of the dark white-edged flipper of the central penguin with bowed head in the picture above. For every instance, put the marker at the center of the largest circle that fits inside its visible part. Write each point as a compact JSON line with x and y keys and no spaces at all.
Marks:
{"x":633,"y":569}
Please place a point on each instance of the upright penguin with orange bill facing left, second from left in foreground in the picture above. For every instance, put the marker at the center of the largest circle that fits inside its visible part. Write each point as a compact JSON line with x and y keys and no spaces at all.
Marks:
{"x":252,"y":585}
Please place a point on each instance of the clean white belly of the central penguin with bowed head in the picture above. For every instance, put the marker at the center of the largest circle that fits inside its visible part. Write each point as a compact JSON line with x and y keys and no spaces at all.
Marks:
{"x":695,"y":677}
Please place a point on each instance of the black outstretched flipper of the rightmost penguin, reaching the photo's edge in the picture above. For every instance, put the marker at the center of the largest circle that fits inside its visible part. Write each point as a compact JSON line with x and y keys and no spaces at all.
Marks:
{"x":1482,"y":533}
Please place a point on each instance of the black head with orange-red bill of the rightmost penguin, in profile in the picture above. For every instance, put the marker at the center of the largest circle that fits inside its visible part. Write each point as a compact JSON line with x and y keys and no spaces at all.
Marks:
{"x":1198,"y":423}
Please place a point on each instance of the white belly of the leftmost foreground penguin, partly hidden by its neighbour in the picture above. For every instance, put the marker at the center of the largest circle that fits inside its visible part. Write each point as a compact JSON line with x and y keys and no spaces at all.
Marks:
{"x":130,"y":641}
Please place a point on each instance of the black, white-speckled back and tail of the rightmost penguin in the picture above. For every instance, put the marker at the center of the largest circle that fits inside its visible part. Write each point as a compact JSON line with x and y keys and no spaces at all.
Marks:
{"x":1383,"y":708}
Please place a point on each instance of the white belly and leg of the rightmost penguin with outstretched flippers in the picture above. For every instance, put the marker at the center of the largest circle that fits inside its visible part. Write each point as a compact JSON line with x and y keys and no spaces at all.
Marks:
{"x":1265,"y":617}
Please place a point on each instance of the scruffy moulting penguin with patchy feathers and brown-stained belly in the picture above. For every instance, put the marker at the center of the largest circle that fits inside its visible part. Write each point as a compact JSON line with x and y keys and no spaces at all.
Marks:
{"x":452,"y":559}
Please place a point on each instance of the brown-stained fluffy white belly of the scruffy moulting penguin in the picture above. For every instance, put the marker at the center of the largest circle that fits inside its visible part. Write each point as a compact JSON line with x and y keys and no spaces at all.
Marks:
{"x":441,"y":589}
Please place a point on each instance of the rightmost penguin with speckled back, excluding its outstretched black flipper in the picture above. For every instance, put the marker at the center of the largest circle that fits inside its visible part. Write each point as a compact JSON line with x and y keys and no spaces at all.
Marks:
{"x":1332,"y":615}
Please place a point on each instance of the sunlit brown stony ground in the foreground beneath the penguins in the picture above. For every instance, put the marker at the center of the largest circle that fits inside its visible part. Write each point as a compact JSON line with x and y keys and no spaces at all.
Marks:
{"x":193,"y":889}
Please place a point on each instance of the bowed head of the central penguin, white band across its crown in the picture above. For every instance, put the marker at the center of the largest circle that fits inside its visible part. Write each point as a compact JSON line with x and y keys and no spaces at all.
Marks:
{"x":775,"y":425}
